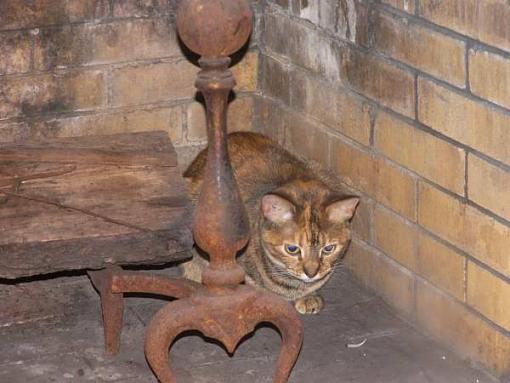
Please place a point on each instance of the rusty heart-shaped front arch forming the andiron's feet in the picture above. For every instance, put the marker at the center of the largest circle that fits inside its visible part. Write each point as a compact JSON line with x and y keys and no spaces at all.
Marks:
{"x":227,"y":317}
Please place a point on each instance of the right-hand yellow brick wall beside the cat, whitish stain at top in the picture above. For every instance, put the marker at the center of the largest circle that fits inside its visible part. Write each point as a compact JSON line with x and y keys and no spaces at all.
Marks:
{"x":409,"y":102}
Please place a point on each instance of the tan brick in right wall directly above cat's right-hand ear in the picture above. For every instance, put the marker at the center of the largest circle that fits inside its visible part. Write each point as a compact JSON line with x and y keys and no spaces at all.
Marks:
{"x":385,"y":182}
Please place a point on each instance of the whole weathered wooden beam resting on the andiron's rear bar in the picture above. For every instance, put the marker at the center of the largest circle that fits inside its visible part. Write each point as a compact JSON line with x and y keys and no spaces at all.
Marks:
{"x":82,"y":203}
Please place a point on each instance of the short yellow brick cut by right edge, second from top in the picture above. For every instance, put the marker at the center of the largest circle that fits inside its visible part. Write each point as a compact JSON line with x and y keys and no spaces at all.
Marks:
{"x":489,"y":76}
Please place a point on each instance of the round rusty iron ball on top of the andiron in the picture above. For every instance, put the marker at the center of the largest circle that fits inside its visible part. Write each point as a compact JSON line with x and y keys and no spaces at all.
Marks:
{"x":214,"y":28}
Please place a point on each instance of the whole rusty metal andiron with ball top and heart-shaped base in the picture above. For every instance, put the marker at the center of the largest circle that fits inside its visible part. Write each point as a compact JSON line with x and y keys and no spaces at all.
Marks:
{"x":222,"y":308}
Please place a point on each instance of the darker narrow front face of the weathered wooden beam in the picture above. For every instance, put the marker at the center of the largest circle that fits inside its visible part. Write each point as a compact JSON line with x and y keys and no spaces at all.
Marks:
{"x":148,"y":248}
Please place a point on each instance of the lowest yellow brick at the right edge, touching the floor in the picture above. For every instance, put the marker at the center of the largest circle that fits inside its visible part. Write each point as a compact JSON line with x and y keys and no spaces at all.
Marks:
{"x":458,"y":328}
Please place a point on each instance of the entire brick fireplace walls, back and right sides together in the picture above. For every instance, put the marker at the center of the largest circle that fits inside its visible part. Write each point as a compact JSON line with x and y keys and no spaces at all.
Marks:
{"x":408,"y":101}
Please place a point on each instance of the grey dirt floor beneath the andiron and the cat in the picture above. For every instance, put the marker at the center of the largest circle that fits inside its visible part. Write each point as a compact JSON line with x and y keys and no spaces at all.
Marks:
{"x":52,"y":333}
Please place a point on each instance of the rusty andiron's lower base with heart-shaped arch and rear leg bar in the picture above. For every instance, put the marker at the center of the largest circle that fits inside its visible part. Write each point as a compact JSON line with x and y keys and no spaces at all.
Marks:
{"x":224,"y":314}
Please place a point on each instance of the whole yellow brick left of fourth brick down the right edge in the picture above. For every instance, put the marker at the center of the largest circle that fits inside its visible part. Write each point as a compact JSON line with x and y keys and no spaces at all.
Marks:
{"x":421,"y":152}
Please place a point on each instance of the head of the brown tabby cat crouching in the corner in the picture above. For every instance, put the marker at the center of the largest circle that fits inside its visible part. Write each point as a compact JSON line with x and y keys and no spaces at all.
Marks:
{"x":304,"y":235}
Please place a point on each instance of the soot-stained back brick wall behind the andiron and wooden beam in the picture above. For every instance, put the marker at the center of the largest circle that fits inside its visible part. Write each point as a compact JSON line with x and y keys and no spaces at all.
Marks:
{"x":80,"y":67}
